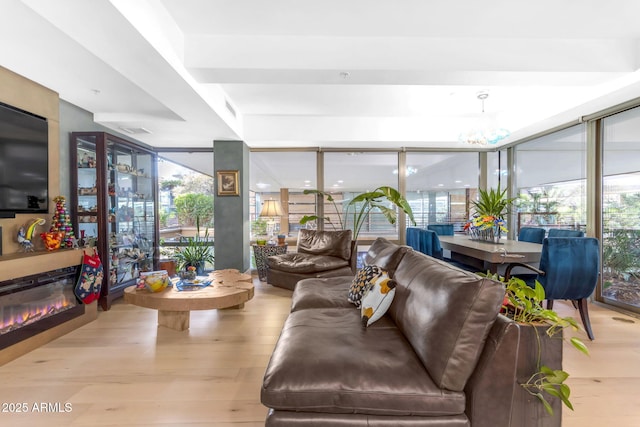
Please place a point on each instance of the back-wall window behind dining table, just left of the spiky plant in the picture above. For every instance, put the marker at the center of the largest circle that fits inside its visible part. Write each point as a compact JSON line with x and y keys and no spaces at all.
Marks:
{"x":439,"y":185}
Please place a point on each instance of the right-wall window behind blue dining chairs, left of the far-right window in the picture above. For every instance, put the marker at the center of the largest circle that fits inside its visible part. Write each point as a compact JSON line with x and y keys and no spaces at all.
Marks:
{"x":551,"y":181}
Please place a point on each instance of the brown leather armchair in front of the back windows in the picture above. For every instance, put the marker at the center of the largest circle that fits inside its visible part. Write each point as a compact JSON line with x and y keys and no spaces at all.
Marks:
{"x":319,"y":254}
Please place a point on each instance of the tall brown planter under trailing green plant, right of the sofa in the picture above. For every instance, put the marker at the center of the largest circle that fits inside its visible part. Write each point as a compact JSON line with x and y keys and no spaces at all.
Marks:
{"x":527,"y":409}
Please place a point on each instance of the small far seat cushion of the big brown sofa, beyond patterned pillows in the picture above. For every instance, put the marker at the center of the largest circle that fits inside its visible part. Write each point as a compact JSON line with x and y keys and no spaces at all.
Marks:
{"x":322,"y":293}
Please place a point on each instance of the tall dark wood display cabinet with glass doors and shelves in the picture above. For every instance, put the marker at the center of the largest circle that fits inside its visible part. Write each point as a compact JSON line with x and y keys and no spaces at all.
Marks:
{"x":113,"y":202}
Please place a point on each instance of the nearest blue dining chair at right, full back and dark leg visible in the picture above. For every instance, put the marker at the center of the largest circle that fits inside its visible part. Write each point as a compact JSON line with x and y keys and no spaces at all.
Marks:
{"x":569,"y":268}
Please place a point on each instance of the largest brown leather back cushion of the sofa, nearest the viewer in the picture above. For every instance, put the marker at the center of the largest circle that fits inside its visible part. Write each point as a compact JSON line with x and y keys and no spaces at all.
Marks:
{"x":446,"y":314}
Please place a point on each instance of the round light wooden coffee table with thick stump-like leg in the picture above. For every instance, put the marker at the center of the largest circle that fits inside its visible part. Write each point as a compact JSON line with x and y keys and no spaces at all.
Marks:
{"x":229,"y":289}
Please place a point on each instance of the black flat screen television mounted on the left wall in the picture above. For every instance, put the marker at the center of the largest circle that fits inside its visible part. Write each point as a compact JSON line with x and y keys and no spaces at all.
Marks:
{"x":24,"y":162}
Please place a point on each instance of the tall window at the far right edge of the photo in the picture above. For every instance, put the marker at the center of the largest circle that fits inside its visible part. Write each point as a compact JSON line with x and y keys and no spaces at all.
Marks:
{"x":621,"y":209}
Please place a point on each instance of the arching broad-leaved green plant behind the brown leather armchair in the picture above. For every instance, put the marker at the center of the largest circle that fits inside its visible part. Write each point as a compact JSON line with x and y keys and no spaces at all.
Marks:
{"x":358,"y":208}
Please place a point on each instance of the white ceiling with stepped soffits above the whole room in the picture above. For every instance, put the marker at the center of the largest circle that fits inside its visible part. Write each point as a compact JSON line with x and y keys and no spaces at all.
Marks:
{"x":332,"y":73}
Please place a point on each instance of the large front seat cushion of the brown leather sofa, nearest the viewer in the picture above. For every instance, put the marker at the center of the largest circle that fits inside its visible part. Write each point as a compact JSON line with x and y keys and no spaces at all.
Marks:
{"x":325,"y":361}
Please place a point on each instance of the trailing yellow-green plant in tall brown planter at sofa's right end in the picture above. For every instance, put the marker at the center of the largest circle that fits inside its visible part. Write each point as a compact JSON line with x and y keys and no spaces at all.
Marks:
{"x":542,"y":391}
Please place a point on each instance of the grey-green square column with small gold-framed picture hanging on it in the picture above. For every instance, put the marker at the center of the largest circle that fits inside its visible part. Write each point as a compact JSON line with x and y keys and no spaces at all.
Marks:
{"x":231,"y":213}
